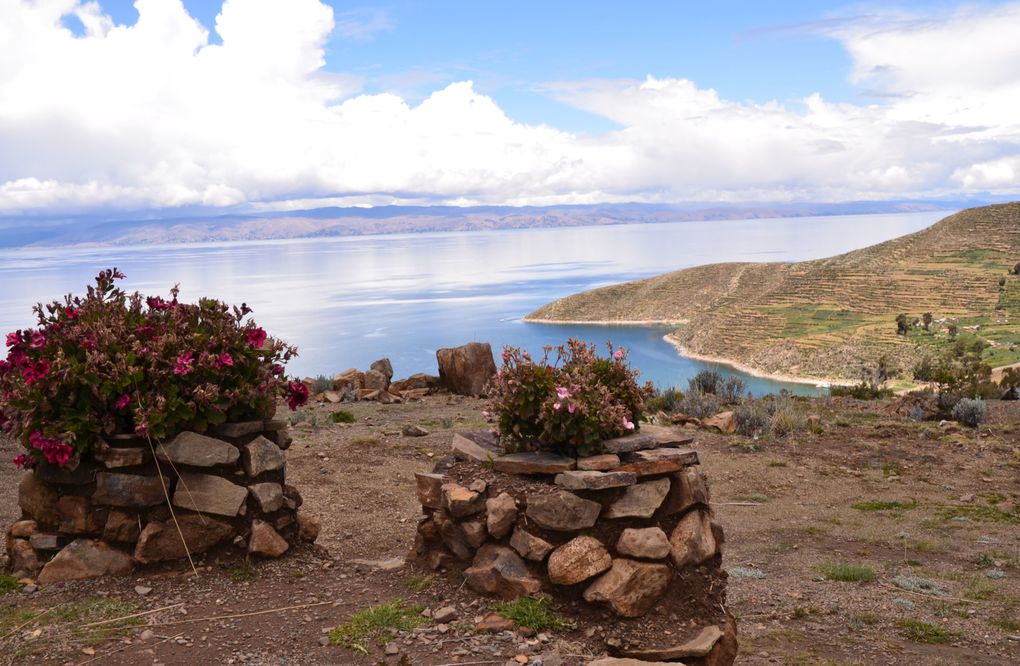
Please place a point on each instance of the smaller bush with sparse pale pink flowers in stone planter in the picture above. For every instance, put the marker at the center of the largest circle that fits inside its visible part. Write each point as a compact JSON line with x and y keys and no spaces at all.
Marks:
{"x":571,"y":405}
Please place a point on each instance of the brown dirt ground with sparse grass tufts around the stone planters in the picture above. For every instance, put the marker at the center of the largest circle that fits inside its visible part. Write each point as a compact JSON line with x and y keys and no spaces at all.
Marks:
{"x":928,"y":508}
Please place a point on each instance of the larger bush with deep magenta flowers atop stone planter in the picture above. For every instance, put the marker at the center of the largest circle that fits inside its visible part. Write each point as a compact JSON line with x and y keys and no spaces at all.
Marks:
{"x":114,"y":363}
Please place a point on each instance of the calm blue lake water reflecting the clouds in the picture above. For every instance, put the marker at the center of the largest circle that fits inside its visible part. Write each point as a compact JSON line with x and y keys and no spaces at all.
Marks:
{"x":346,"y":302}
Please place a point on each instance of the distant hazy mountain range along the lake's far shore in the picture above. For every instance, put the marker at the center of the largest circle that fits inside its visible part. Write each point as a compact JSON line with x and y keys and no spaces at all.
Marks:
{"x":151,"y":229}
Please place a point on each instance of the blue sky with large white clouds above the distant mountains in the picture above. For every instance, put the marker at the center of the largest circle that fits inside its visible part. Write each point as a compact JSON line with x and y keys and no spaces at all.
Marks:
{"x":162,"y":106}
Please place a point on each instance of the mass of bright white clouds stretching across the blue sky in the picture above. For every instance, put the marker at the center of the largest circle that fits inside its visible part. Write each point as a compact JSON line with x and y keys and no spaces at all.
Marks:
{"x":155,"y":116}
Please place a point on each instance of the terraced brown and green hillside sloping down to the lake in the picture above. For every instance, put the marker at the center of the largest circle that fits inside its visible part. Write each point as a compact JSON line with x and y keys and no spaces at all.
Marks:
{"x":831,"y":318}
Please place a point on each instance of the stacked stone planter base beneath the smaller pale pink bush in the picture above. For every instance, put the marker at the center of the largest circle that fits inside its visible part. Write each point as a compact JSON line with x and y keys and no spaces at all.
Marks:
{"x":630,"y":531}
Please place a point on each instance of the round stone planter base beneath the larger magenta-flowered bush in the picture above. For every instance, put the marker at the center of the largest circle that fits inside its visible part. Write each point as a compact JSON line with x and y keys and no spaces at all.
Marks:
{"x":112,"y":514}
